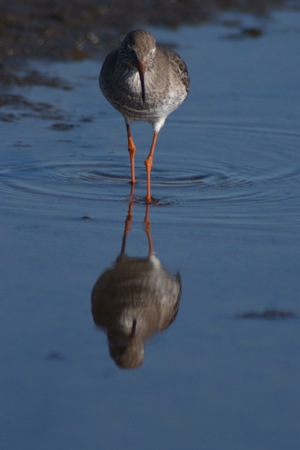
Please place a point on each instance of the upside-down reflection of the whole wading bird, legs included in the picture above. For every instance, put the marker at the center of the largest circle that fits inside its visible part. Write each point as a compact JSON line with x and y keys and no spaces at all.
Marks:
{"x":134,"y":299}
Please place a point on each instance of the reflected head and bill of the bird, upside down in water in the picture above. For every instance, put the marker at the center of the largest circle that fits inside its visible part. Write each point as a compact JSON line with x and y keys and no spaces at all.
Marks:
{"x":127,"y":351}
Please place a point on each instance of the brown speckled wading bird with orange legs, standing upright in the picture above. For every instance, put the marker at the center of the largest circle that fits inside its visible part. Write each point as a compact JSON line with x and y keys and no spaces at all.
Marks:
{"x":144,"y":81}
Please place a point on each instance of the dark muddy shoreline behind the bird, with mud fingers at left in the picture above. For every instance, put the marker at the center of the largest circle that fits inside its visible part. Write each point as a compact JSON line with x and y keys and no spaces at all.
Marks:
{"x":65,"y":30}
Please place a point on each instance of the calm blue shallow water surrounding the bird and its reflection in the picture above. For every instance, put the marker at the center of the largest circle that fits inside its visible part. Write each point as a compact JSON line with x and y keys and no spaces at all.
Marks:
{"x":226,"y":178}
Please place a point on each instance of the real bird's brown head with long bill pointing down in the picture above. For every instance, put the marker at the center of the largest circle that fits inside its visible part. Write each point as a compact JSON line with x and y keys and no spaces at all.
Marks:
{"x":138,"y":51}
